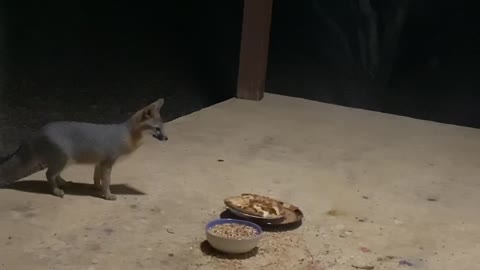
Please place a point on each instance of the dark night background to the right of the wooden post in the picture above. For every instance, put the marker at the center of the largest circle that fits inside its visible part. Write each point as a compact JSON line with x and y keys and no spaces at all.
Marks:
{"x":435,"y":72}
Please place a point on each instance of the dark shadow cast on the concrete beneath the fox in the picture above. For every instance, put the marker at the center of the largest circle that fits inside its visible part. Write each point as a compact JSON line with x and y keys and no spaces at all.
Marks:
{"x":78,"y":189}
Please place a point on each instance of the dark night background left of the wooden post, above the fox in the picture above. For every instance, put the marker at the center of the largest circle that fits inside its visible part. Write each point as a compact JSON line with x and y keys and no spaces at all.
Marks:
{"x":117,"y":55}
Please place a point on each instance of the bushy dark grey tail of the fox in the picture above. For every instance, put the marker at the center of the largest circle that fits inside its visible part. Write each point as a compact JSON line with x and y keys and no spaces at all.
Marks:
{"x":18,"y":165}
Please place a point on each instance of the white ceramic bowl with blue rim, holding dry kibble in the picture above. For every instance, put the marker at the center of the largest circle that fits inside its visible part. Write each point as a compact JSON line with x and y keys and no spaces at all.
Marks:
{"x":232,"y":246}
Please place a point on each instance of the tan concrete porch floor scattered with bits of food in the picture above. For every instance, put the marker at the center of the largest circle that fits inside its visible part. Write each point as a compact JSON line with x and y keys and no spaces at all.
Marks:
{"x":376,"y":190}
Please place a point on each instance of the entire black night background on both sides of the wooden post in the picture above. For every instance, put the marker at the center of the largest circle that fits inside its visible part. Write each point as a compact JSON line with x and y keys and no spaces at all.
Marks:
{"x":100,"y":61}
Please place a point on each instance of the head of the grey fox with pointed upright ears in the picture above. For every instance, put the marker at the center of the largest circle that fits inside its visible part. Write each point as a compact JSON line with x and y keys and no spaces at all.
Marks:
{"x":149,"y":120}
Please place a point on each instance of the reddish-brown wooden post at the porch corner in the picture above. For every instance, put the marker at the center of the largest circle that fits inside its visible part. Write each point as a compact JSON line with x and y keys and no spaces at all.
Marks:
{"x":252,"y":70}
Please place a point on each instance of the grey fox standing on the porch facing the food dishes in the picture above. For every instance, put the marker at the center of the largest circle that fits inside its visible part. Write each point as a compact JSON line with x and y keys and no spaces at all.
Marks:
{"x":59,"y":144}
